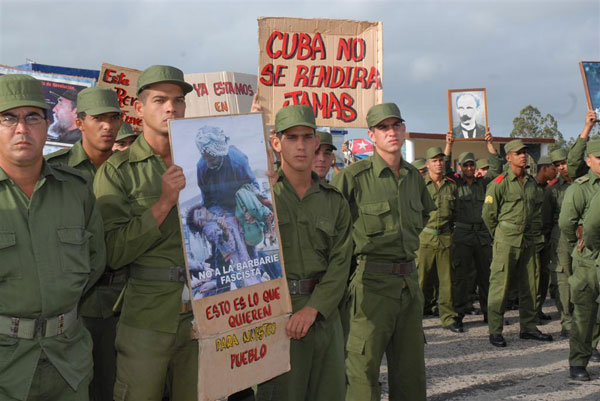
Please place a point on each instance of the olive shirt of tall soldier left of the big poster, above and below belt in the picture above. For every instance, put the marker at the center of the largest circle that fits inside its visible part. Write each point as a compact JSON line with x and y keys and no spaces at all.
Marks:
{"x":126,"y":186}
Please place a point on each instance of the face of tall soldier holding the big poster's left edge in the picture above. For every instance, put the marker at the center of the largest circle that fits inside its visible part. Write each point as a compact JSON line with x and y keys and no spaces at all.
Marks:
{"x":158,"y":104}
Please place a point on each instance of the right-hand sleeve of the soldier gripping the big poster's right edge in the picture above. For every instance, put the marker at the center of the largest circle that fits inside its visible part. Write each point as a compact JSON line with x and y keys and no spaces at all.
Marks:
{"x":328,"y":293}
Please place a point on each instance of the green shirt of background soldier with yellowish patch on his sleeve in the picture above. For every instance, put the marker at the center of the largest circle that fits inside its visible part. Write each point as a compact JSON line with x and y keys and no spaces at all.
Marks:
{"x":512,"y":211}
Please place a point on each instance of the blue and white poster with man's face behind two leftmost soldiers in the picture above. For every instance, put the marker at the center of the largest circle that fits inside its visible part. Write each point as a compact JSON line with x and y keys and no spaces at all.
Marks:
{"x":60,"y":92}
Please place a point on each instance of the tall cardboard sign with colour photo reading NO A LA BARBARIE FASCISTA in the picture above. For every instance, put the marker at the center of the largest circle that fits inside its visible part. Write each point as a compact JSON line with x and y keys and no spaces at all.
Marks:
{"x":240,"y":297}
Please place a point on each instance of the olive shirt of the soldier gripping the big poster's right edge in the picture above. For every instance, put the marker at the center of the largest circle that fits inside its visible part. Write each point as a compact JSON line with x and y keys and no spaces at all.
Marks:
{"x":316,"y":241}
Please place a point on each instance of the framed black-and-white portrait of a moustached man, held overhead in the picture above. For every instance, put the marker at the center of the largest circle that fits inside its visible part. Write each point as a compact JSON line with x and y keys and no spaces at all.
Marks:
{"x":467,"y":113}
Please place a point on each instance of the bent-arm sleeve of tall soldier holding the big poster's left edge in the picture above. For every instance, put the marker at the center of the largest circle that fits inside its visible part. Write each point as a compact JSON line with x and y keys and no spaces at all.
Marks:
{"x":127,"y":236}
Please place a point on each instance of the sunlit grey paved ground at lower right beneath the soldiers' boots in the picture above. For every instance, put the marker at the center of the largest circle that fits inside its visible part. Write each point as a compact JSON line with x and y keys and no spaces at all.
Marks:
{"x":466,"y":367}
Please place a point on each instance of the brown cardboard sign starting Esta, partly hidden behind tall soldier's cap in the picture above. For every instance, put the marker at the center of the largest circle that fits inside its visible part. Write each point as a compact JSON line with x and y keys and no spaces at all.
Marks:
{"x":123,"y":80}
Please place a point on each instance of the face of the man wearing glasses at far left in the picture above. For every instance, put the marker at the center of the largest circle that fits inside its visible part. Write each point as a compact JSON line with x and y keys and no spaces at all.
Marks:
{"x":23,"y":144}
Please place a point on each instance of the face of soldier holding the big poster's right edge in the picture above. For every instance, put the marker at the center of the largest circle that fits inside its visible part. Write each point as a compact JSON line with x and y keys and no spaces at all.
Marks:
{"x":296,"y":146}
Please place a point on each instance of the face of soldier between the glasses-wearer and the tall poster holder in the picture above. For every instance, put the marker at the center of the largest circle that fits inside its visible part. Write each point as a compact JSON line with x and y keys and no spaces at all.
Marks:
{"x":99,"y":132}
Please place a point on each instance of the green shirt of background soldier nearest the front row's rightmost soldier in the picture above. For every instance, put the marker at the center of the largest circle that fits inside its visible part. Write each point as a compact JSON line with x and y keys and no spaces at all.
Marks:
{"x":440,"y":220}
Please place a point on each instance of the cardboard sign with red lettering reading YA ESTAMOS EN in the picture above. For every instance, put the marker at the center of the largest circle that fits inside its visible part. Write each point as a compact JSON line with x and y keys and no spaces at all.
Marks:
{"x":219,"y":93}
